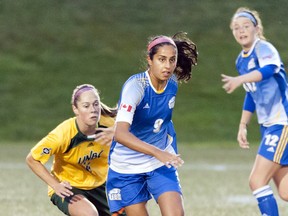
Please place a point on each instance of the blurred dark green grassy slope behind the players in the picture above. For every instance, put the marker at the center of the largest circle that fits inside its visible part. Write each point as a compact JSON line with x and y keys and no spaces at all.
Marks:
{"x":49,"y":47}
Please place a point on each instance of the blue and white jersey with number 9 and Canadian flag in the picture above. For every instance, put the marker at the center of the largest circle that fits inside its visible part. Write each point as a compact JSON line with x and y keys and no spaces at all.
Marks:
{"x":149,"y":113}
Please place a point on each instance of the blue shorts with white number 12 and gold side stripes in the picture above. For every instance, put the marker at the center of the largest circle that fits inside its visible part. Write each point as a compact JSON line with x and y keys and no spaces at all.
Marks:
{"x":274,"y":143}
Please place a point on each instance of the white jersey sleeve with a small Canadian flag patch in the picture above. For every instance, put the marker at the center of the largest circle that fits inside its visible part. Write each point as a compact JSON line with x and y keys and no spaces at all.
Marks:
{"x":131,"y":96}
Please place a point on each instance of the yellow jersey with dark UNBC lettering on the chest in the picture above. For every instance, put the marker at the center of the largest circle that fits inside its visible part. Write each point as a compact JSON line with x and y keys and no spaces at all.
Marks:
{"x":77,"y":160}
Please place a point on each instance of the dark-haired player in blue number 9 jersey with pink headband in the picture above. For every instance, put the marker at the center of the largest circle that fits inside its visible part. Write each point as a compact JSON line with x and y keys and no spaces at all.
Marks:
{"x":143,"y":157}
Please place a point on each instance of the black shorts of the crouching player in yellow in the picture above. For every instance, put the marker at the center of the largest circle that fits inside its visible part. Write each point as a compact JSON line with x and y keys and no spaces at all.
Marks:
{"x":96,"y":196}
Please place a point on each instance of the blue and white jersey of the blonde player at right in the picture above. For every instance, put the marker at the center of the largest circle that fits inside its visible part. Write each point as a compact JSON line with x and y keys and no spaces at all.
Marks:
{"x":270,"y":94}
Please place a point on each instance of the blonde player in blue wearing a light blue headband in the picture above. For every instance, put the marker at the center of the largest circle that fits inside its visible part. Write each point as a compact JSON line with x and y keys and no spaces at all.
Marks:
{"x":263,"y":77}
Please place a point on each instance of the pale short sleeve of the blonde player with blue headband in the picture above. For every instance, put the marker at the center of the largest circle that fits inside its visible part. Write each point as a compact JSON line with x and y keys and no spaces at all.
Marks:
{"x":268,"y":55}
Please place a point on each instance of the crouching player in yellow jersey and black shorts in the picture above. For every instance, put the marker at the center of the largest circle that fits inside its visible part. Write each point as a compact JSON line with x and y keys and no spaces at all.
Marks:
{"x":80,"y":146}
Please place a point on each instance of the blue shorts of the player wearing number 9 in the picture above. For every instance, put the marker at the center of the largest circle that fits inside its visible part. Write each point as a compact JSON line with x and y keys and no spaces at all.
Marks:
{"x":128,"y":189}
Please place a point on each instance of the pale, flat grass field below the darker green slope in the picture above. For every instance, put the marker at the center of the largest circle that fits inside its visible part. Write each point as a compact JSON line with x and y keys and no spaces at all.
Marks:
{"x":214,"y":181}
